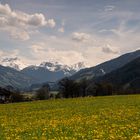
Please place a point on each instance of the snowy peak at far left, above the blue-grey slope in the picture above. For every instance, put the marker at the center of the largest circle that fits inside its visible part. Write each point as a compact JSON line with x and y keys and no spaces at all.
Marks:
{"x":14,"y":63}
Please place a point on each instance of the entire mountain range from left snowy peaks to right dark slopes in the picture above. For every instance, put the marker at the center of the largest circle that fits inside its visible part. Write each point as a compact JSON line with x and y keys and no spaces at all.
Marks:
{"x":18,"y":75}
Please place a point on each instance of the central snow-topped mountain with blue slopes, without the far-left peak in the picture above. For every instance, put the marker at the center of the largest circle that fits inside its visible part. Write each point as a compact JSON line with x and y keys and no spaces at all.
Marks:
{"x":52,"y":71}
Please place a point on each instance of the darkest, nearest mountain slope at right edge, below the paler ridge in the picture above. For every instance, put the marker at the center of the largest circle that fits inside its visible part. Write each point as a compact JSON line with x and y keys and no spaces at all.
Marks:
{"x":126,"y":76}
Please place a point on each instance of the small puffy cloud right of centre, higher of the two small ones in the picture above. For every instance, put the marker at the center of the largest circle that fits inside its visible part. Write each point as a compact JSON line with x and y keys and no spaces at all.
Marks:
{"x":80,"y":37}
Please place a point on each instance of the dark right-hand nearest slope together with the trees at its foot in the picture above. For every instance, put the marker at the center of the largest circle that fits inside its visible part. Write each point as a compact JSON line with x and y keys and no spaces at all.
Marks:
{"x":124,"y":80}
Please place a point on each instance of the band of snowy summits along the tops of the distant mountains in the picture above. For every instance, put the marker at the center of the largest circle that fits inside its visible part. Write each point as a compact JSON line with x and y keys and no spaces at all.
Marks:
{"x":52,"y":66}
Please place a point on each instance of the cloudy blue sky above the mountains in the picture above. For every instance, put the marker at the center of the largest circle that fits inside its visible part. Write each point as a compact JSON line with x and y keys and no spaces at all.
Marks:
{"x":68,"y":31}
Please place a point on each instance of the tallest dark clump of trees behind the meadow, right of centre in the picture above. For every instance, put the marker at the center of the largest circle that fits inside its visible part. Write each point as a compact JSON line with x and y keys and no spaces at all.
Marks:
{"x":69,"y":88}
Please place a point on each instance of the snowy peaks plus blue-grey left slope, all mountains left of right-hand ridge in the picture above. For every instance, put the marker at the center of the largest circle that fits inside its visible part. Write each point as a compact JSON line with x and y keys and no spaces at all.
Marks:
{"x":14,"y":72}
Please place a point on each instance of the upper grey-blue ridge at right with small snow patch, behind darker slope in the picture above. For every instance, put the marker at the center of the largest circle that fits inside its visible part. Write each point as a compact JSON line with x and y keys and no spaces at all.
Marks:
{"x":106,"y":67}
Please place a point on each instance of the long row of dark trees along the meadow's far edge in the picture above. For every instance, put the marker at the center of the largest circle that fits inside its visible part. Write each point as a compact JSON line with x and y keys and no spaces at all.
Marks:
{"x":69,"y":88}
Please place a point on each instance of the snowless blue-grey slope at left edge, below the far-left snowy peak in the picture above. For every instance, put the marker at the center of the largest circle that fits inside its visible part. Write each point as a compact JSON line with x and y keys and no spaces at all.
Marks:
{"x":9,"y":76}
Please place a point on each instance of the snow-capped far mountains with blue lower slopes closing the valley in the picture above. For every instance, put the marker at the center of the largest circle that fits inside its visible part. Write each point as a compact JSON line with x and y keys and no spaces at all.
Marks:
{"x":46,"y":71}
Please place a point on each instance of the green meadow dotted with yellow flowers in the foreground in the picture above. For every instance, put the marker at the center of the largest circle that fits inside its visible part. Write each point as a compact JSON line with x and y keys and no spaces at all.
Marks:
{"x":114,"y":117}
